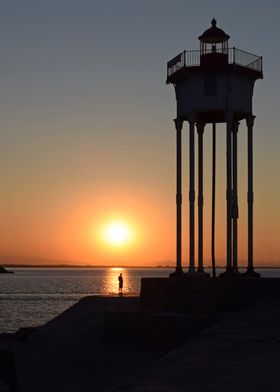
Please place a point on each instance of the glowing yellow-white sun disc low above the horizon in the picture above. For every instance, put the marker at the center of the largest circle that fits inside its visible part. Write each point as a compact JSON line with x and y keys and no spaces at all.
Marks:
{"x":117,"y":233}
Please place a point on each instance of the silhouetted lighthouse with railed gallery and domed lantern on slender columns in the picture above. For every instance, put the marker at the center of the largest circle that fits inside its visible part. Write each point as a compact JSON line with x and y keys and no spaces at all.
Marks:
{"x":214,"y":85}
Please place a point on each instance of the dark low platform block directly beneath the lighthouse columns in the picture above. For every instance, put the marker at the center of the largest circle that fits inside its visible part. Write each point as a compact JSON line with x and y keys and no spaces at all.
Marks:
{"x":205,"y":295}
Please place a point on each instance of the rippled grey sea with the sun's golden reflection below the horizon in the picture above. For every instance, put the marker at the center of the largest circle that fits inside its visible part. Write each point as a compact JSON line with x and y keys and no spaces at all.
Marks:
{"x":33,"y":296}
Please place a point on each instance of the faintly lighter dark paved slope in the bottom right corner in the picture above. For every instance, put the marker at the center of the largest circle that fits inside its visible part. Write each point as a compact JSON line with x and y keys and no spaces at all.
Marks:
{"x":241,"y":353}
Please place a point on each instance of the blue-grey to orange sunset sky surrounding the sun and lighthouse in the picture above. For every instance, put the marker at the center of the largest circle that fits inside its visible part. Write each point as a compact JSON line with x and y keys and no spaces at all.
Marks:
{"x":87,"y":135}
